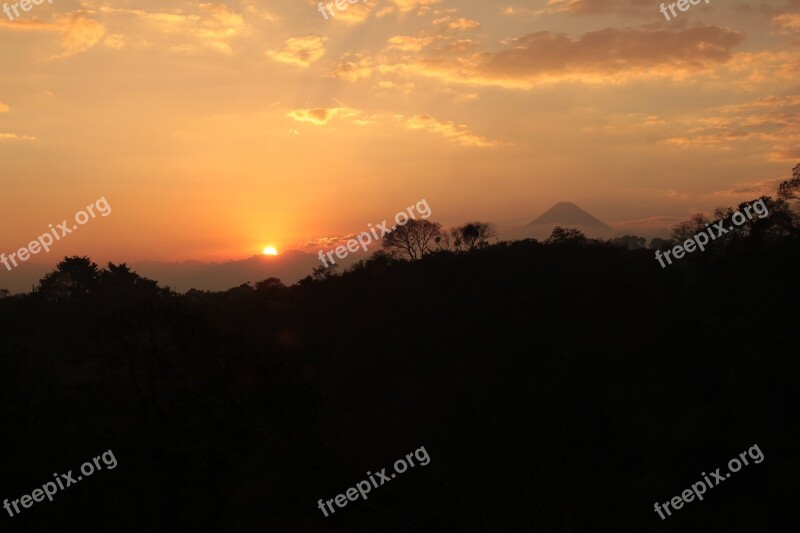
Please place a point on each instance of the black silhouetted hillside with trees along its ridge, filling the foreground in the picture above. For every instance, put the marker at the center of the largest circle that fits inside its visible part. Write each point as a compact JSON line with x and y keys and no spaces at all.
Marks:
{"x":558,"y":387}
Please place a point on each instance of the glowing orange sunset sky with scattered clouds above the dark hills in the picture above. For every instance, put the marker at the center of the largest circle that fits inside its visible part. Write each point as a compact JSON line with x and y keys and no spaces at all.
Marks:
{"x":213,"y":130}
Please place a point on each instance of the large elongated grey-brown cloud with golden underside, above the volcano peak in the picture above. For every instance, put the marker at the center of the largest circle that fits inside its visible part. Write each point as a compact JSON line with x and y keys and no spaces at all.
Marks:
{"x":603,"y":56}
